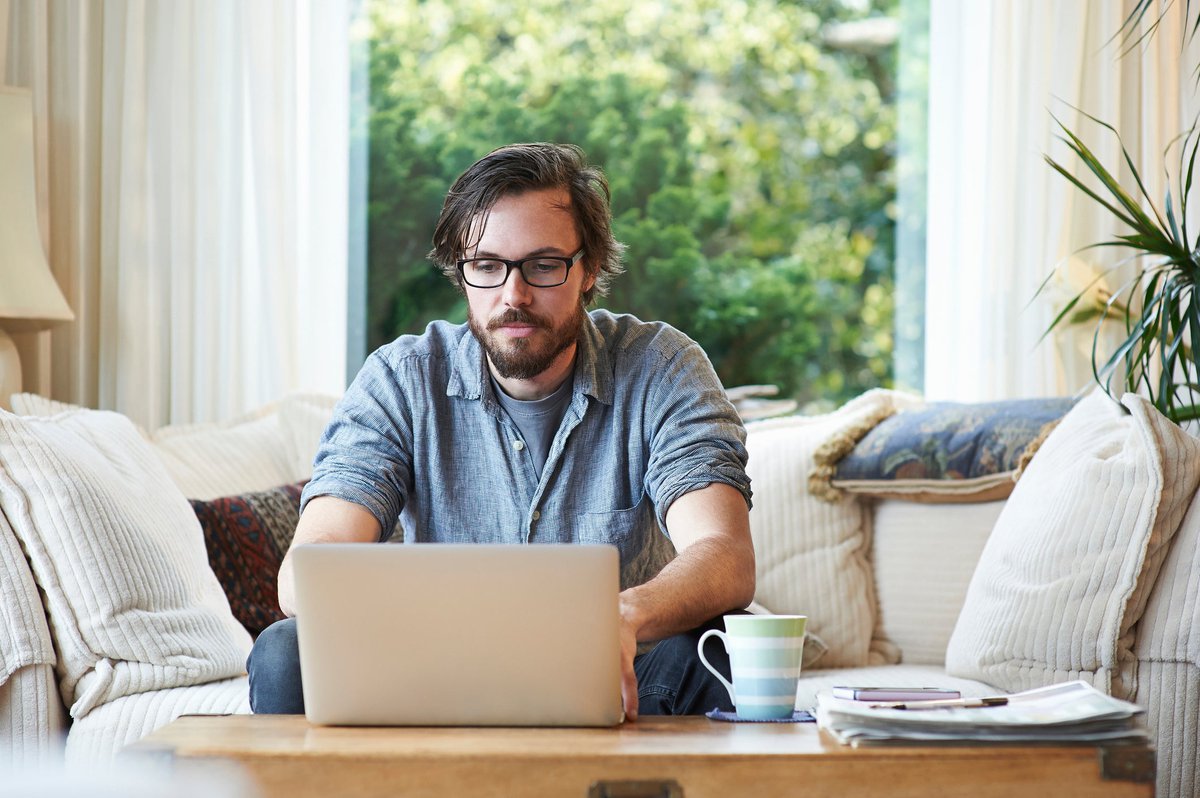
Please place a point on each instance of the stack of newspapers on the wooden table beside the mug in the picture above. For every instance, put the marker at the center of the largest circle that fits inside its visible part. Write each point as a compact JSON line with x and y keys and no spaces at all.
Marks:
{"x":1061,"y":715}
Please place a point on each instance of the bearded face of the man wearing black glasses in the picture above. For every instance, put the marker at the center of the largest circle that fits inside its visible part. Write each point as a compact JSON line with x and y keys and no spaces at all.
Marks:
{"x":525,"y":331}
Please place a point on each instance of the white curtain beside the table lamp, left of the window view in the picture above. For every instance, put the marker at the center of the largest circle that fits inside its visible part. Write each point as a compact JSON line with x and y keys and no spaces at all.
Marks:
{"x":194,"y":165}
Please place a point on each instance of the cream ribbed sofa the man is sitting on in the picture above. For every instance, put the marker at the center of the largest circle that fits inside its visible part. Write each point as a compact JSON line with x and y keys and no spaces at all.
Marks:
{"x":883,"y":581}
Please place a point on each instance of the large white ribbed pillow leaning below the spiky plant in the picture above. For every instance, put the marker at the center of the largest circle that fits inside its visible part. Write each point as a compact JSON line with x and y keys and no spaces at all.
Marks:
{"x":1076,"y":551}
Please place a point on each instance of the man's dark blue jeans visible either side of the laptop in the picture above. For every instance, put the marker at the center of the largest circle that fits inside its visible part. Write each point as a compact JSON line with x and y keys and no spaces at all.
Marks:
{"x":671,"y":680}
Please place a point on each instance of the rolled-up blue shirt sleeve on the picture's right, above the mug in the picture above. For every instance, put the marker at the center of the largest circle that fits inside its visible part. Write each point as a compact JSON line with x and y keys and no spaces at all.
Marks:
{"x":697,"y":436}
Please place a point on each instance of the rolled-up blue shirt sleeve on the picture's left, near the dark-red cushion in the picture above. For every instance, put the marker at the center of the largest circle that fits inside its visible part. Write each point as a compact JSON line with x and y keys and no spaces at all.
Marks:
{"x":365,"y":454}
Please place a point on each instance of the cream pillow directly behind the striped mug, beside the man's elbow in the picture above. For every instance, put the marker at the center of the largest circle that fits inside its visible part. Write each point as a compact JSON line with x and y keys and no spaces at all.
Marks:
{"x":813,"y":556}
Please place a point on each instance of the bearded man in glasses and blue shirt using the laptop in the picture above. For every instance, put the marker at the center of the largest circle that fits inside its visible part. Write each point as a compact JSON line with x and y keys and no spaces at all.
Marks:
{"x":541,"y":423}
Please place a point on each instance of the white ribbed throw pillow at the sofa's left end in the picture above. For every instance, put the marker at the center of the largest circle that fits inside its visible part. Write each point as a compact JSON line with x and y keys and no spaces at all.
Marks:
{"x":133,"y":603}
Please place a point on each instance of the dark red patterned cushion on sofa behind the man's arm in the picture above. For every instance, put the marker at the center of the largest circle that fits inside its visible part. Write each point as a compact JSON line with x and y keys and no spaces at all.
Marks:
{"x":247,"y":537}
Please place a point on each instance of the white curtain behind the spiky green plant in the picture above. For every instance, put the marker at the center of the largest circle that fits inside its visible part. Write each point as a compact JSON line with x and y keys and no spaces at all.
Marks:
{"x":1000,"y":219}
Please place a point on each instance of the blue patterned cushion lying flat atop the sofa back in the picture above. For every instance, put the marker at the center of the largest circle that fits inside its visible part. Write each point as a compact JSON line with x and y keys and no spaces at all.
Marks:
{"x":947,"y":452}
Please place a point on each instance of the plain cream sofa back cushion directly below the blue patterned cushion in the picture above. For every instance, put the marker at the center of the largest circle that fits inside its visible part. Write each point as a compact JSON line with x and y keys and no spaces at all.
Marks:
{"x":925,"y":556}
